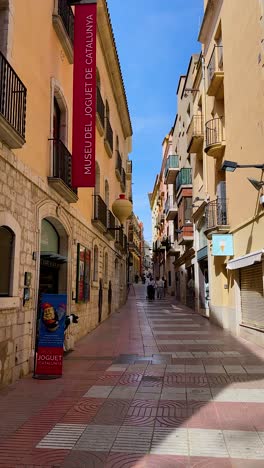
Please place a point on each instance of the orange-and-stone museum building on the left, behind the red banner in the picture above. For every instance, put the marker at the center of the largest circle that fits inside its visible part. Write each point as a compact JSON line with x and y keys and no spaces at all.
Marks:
{"x":57,"y":237}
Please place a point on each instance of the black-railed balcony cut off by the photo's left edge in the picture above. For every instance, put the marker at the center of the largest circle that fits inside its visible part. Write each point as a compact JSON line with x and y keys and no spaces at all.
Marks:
{"x":12,"y":106}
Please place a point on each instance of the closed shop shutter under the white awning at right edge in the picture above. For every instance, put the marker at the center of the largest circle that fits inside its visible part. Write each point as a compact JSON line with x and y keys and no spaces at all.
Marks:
{"x":252,"y":300}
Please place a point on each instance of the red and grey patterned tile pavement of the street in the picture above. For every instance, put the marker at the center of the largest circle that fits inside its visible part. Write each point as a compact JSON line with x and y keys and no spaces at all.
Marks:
{"x":154,"y":386}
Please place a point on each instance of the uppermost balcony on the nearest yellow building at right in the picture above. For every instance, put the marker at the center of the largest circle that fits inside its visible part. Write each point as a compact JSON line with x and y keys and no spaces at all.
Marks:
{"x":215,"y":73}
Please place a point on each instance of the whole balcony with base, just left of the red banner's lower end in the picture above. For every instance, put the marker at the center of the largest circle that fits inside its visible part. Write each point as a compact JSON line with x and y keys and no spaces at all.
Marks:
{"x":62,"y":172}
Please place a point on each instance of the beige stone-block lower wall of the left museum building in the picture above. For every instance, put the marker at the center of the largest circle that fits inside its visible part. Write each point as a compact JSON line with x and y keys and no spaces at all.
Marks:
{"x":29,"y":199}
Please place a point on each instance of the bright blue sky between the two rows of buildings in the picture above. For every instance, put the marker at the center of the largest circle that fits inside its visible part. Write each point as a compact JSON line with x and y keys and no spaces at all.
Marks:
{"x":155,"y":39}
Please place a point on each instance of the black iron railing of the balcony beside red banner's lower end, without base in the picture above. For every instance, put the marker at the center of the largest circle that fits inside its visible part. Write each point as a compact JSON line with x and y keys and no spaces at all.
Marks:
{"x":62,"y":163}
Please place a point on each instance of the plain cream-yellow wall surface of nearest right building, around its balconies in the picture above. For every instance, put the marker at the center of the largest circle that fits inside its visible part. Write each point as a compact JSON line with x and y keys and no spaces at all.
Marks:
{"x":241,"y":103}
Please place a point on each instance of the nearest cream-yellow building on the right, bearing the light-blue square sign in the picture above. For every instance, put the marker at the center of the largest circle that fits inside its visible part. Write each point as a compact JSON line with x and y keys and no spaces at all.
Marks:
{"x":230,"y":102}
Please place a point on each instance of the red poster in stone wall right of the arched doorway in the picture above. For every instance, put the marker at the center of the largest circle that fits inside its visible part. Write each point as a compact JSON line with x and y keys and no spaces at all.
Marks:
{"x":83,"y":274}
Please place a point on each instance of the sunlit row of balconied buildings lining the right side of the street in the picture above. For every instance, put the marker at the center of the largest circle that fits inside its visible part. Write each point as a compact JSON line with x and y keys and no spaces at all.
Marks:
{"x":207,"y":201}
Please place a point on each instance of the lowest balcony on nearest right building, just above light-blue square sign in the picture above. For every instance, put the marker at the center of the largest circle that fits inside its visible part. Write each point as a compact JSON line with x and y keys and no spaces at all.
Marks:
{"x":216,"y":217}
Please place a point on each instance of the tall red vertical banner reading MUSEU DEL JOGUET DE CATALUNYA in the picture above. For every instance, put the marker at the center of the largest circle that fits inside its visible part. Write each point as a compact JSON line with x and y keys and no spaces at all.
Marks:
{"x":84,"y":96}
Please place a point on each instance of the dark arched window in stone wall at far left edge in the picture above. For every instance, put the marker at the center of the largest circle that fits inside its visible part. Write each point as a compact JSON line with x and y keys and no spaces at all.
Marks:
{"x":6,"y":255}
